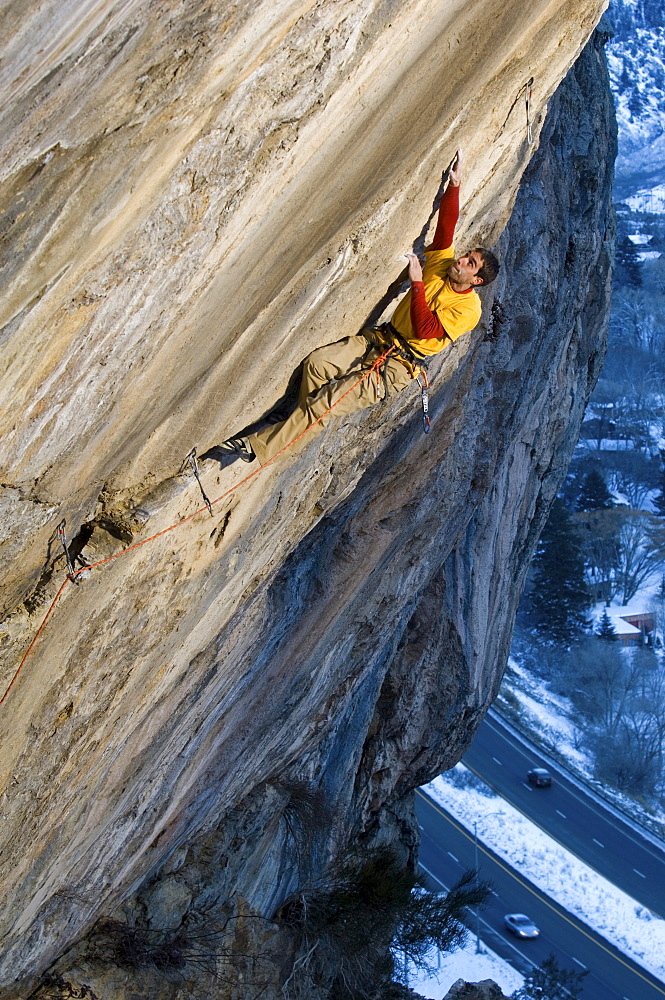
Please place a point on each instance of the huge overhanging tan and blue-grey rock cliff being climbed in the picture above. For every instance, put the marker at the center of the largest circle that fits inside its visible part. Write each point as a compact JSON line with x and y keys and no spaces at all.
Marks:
{"x":196,"y":195}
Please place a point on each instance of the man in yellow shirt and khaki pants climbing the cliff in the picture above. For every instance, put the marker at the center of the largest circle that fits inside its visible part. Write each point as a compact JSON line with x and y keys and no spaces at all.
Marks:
{"x":440,"y":306}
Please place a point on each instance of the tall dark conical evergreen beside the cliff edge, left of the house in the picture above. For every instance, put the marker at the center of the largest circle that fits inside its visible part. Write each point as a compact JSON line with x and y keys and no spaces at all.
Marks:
{"x":559,"y":597}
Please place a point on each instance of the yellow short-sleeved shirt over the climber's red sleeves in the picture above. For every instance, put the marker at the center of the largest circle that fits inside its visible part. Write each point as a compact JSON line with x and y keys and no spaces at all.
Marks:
{"x":458,"y":312}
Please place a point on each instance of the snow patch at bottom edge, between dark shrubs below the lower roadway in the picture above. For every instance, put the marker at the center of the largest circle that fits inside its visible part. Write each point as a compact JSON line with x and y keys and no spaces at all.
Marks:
{"x":465,"y":964}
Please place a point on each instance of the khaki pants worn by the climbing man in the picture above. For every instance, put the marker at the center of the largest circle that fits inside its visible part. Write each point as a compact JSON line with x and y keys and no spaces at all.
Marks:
{"x":328,"y":373}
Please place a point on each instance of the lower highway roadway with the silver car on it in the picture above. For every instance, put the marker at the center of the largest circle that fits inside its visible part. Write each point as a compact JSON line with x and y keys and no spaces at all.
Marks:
{"x":447,"y":850}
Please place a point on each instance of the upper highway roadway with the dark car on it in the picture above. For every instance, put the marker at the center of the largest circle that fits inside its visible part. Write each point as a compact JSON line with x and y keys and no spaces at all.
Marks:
{"x":566,"y":812}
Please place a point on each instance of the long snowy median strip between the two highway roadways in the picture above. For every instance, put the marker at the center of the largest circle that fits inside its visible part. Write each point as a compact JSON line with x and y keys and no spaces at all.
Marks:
{"x":614,"y":914}
